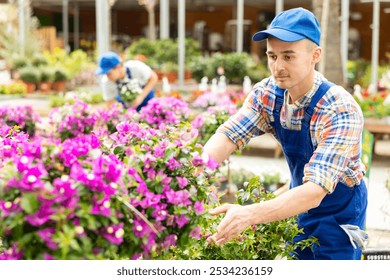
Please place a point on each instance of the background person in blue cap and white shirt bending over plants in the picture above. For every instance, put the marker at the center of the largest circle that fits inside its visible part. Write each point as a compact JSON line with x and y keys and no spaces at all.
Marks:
{"x":115,"y":73}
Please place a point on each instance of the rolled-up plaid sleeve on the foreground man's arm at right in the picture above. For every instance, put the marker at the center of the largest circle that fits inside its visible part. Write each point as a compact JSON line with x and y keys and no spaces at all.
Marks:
{"x":337,"y":156}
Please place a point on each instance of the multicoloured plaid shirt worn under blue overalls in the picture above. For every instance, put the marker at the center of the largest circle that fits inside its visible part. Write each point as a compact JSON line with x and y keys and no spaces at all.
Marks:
{"x":335,"y":128}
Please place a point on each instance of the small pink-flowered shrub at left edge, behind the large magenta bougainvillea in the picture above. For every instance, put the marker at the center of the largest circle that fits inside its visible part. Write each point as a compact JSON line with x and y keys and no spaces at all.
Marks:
{"x":23,"y":116}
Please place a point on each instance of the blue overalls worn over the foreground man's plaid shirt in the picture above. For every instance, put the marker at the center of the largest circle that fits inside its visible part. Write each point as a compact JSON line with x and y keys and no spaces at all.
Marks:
{"x":345,"y":205}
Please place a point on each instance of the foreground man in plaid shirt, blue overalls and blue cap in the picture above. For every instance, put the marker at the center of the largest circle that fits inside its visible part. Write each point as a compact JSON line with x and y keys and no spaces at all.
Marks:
{"x":319,"y":127}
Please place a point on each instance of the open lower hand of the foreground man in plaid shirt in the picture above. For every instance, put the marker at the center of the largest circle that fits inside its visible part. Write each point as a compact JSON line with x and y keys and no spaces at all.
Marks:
{"x":235,"y":221}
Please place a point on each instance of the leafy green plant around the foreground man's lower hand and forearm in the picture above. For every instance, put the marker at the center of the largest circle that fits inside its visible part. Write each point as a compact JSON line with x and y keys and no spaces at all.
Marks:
{"x":261,"y":242}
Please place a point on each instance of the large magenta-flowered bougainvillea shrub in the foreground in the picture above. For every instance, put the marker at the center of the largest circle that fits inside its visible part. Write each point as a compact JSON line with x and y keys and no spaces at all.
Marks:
{"x":78,"y":199}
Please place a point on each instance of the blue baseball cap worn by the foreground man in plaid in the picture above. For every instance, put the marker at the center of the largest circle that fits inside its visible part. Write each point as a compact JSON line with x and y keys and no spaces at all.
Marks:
{"x":292,"y":25}
